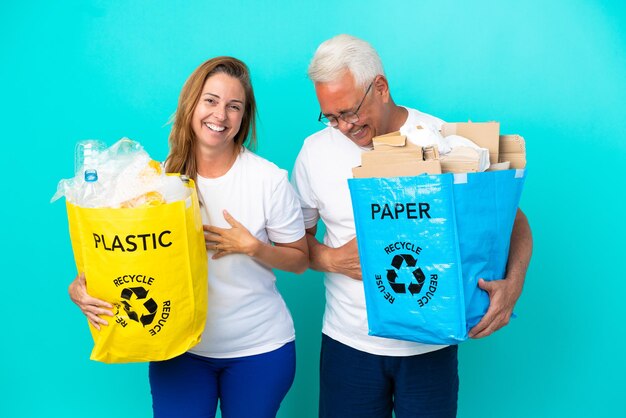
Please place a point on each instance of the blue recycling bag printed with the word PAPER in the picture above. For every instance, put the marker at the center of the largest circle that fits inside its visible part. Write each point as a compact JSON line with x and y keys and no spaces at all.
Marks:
{"x":424,"y":242}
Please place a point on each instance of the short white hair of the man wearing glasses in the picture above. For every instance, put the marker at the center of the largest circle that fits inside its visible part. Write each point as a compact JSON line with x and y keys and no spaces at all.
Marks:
{"x":344,"y":52}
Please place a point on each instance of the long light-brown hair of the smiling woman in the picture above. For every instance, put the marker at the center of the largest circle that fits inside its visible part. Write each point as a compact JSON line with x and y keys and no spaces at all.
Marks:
{"x":182,"y":140}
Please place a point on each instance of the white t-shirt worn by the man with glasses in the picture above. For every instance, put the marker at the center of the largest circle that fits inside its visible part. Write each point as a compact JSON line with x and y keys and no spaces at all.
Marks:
{"x":320,"y":177}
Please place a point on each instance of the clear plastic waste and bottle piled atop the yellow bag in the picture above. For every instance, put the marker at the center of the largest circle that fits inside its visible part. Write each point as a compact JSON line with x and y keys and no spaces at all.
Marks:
{"x":127,"y":178}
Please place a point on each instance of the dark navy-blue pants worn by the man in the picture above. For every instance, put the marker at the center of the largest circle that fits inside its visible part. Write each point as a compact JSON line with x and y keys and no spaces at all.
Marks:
{"x":362,"y":385}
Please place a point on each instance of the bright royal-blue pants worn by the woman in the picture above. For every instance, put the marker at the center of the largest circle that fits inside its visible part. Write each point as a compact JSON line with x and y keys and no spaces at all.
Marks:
{"x":247,"y":387}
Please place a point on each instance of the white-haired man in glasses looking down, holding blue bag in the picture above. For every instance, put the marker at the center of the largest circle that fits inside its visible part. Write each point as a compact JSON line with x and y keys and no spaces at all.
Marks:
{"x":360,"y":375}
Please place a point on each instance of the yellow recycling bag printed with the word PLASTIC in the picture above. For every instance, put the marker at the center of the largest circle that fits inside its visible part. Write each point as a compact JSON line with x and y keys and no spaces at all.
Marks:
{"x":150,"y":263}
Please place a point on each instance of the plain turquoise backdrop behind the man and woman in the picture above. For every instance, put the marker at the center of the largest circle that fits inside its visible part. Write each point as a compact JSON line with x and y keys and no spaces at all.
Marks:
{"x":552,"y":71}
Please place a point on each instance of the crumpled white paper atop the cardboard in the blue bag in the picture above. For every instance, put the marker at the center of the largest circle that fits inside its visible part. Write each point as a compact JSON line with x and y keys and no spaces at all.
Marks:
{"x":450,"y":147}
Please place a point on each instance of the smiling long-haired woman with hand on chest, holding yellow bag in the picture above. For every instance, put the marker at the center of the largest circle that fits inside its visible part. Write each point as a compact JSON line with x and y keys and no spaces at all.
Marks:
{"x":246,"y":358}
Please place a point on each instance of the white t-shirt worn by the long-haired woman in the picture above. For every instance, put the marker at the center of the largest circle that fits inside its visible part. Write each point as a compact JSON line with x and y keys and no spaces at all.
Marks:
{"x":246,"y":314}
